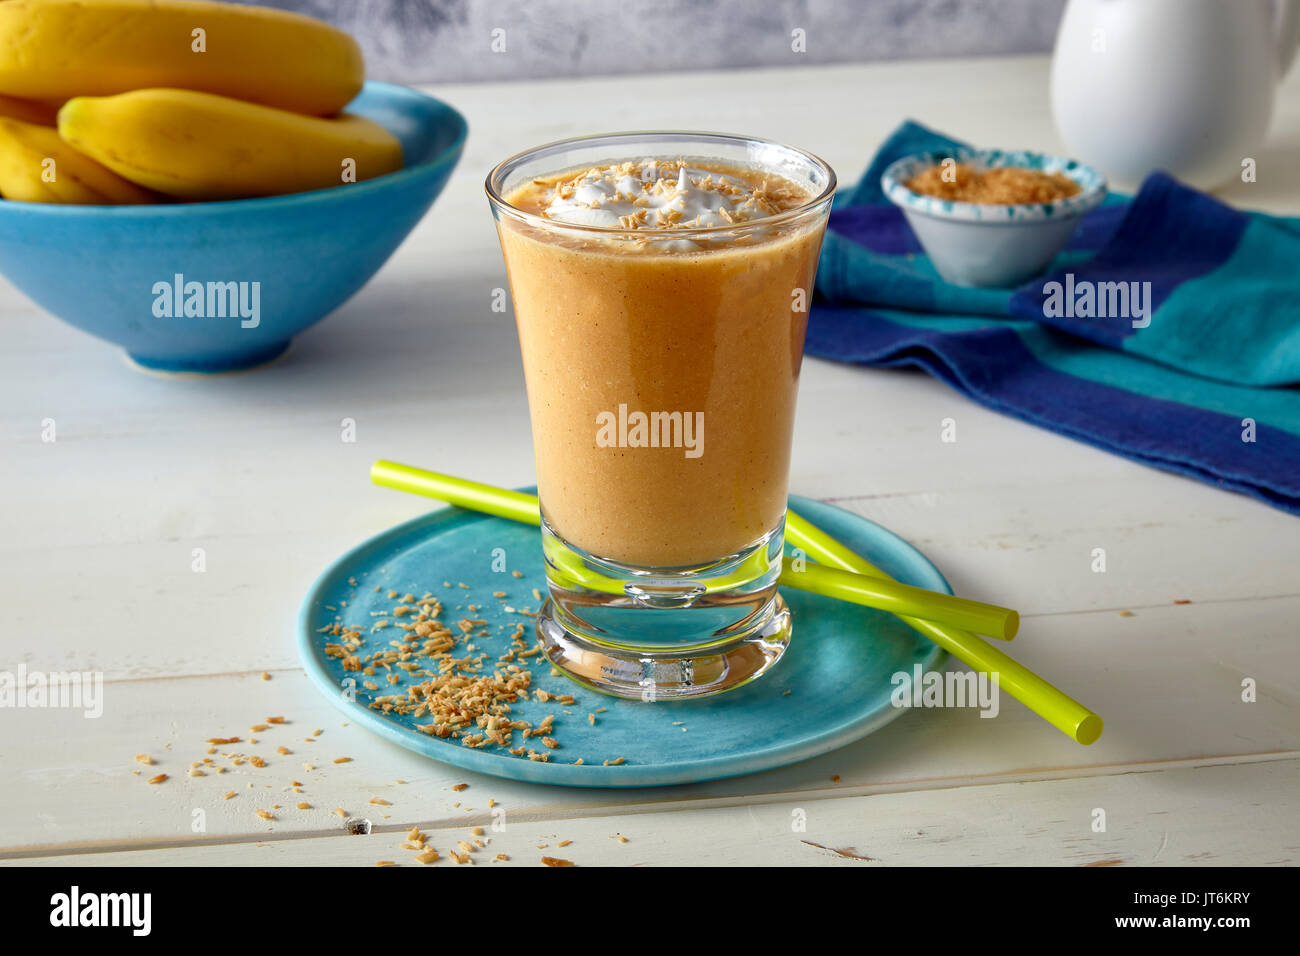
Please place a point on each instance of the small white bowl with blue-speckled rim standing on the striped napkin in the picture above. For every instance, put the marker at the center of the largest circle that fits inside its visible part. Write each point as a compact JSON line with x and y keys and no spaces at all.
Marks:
{"x":993,"y":245}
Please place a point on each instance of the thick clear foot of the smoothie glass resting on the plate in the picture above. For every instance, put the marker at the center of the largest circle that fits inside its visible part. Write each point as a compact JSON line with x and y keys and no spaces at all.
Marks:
{"x":669,"y":676}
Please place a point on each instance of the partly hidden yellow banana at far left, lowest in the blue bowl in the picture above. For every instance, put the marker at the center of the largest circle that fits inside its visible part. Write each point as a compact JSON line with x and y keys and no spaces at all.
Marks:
{"x":38,"y":167}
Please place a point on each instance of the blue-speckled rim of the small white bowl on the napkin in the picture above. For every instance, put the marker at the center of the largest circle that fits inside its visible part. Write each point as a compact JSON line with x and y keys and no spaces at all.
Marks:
{"x":1093,"y":187}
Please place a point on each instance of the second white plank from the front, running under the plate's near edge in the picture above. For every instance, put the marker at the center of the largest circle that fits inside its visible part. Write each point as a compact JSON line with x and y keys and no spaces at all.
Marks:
{"x":1167,"y":681}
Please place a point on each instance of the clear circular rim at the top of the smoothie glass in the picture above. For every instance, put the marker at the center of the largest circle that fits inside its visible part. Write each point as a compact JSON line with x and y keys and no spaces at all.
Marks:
{"x":499,"y":175}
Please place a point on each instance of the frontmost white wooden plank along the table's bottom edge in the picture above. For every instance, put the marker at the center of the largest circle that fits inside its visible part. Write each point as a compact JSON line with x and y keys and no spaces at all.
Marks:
{"x":1234,"y":815}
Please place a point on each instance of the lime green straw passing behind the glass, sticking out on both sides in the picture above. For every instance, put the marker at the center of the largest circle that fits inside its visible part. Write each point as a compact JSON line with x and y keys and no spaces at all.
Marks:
{"x":877,"y":591}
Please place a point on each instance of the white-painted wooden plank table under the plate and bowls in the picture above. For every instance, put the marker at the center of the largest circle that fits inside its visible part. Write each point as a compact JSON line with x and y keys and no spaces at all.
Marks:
{"x":101,"y":527}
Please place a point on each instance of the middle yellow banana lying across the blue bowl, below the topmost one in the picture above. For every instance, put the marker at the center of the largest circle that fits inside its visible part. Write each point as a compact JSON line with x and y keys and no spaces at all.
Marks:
{"x":201,"y":146}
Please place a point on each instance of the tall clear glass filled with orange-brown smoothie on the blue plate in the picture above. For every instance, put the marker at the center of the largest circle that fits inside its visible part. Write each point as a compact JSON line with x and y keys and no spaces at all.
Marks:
{"x":662,"y":369}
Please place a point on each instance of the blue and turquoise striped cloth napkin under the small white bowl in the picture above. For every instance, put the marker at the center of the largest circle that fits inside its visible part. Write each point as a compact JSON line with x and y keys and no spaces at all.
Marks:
{"x":1168,"y":331}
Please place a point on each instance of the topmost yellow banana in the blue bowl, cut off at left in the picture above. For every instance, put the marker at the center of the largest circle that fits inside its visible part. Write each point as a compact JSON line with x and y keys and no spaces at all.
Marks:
{"x":53,"y":50}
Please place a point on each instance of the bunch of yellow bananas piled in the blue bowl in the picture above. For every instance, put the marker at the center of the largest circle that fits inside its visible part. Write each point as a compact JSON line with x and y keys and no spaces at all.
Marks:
{"x":110,"y":102}
